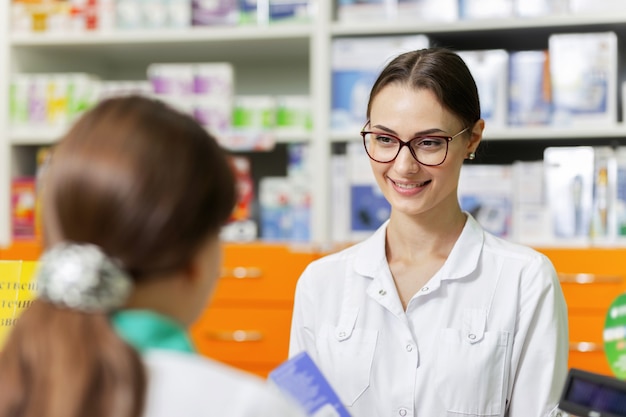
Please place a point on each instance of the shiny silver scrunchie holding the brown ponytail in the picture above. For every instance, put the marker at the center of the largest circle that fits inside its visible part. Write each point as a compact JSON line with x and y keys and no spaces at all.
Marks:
{"x":82,"y":277}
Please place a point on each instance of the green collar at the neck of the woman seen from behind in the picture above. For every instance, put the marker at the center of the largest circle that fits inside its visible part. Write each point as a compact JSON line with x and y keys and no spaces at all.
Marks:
{"x":145,"y":330}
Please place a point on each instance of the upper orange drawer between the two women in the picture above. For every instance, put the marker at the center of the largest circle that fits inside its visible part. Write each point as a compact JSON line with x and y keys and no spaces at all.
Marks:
{"x":260,"y":273}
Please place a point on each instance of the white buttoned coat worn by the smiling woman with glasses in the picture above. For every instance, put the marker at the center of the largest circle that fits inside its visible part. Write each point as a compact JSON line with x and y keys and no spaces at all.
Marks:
{"x":486,"y":336}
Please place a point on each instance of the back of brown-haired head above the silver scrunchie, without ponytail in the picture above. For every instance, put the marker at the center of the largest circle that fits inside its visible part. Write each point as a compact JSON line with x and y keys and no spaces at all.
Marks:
{"x":143,"y":182}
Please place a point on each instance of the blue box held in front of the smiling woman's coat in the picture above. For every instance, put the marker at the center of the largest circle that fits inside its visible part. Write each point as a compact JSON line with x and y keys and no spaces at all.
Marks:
{"x":300,"y":379}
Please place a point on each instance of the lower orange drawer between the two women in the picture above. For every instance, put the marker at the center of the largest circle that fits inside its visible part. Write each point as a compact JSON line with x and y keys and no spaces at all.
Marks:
{"x":243,"y":335}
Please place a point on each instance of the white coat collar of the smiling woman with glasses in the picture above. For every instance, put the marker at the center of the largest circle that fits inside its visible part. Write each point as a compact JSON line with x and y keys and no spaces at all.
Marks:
{"x":463,"y":259}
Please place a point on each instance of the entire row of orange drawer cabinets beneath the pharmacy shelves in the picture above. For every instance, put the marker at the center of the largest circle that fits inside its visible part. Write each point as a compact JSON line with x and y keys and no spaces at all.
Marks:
{"x":246,"y":323}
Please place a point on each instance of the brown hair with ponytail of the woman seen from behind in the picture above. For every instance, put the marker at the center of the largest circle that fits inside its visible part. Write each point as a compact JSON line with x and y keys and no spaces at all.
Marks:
{"x":148,"y":185}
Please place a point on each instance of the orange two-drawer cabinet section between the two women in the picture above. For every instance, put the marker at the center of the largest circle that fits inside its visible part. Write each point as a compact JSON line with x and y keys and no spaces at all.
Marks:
{"x":247,"y":322}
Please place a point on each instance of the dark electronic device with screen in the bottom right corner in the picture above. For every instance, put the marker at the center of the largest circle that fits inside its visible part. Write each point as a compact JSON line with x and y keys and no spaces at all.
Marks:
{"x":594,"y":395}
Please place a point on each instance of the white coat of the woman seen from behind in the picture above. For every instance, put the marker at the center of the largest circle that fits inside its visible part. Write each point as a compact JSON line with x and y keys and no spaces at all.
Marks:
{"x":186,"y":385}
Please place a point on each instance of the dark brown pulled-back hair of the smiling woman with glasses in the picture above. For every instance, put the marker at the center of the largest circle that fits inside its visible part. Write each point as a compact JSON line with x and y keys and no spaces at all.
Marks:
{"x":439,"y":70}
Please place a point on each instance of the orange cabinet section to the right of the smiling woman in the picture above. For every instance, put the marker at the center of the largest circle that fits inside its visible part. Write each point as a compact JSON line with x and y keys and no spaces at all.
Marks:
{"x":591,"y":279}
